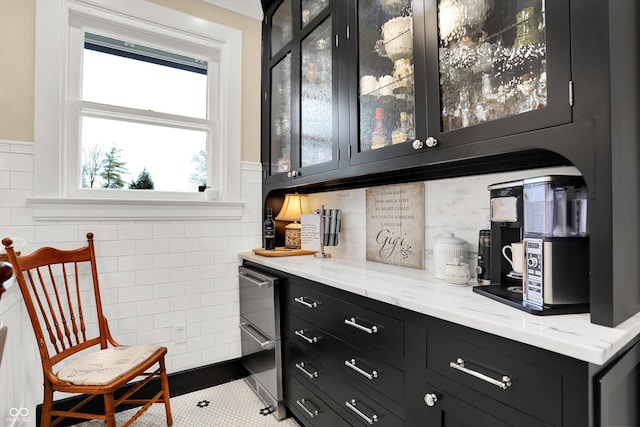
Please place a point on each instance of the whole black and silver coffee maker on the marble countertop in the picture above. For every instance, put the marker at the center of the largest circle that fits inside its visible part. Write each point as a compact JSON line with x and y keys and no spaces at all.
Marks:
{"x":547,"y":216}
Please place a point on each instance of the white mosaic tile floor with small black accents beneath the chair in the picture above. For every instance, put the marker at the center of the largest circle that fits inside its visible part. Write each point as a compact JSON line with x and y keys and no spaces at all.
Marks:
{"x":232,"y":404}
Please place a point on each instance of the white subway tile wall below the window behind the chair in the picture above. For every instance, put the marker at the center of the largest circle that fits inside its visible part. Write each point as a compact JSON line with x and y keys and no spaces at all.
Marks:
{"x":153,"y":275}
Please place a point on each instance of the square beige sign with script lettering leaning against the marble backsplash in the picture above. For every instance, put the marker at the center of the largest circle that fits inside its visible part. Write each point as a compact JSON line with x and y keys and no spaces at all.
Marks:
{"x":395,"y":225}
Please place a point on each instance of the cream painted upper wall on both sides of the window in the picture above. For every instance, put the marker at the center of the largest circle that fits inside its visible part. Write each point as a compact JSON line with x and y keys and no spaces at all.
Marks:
{"x":17,"y":35}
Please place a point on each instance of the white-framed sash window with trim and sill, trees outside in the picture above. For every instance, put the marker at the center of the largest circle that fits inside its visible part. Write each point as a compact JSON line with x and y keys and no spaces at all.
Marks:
{"x":128,"y":95}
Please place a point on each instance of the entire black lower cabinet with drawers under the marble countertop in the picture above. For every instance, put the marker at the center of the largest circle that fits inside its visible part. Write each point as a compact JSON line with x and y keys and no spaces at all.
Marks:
{"x":430,"y":372}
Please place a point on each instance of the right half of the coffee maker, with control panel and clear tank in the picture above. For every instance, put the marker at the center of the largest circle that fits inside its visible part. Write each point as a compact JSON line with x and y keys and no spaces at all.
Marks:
{"x":556,"y":241}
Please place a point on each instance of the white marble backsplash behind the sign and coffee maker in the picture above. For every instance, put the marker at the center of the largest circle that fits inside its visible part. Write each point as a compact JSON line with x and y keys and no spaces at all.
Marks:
{"x":457,"y":205}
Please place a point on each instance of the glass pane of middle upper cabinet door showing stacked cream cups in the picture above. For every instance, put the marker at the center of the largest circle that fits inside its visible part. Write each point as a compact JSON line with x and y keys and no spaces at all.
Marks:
{"x":386,"y":90}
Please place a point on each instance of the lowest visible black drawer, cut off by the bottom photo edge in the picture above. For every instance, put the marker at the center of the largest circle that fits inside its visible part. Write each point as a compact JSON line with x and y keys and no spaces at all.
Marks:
{"x":311,"y":409}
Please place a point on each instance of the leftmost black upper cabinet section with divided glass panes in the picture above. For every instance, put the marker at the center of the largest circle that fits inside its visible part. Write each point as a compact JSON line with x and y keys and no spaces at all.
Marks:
{"x":300,"y":84}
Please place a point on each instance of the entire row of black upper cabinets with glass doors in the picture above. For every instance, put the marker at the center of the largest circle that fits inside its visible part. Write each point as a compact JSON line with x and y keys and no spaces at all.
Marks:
{"x":356,"y":87}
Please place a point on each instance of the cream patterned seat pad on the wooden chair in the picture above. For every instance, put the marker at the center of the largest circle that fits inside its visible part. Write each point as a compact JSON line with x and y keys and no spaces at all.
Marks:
{"x":104,"y":366}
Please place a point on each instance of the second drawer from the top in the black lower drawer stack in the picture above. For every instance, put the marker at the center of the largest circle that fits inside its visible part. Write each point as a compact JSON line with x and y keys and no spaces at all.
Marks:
{"x":346,"y":363}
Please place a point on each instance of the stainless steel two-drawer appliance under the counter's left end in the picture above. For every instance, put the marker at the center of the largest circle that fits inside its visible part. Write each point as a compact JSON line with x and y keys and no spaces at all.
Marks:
{"x":260,"y":334}
